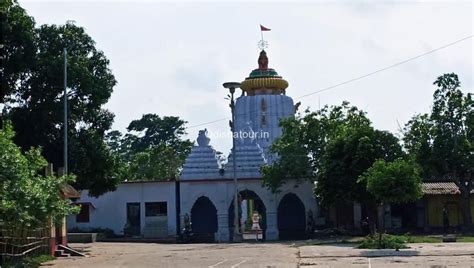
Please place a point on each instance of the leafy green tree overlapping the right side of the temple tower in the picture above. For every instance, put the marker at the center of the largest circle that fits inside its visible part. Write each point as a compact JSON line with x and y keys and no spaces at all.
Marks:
{"x":304,"y":140}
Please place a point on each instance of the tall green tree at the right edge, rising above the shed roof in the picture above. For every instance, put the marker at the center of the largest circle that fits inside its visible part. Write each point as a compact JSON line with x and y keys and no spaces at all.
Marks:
{"x":442,"y":142}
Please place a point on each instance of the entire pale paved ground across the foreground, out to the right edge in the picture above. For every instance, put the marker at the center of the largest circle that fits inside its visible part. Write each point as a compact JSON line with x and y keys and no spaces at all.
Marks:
{"x":266,"y":255}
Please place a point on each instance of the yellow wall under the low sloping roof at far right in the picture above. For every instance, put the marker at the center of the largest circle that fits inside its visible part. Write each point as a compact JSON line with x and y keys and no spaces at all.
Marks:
{"x":436,"y":204}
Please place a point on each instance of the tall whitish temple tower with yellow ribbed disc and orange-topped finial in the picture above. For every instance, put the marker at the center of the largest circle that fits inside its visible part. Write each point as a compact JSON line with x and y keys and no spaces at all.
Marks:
{"x":262,"y":104}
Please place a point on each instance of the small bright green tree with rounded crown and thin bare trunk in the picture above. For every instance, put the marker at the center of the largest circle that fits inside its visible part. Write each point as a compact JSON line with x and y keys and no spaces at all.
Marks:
{"x":392,"y":183}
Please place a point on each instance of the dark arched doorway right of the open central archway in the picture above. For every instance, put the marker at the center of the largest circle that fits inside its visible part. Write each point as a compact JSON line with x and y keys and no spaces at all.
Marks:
{"x":291,"y":218}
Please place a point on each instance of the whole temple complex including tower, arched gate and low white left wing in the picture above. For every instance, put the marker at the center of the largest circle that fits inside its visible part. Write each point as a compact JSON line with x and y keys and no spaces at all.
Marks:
{"x":204,"y":193}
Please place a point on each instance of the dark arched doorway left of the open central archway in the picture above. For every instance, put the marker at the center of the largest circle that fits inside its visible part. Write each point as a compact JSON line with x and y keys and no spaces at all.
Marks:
{"x":204,"y":219}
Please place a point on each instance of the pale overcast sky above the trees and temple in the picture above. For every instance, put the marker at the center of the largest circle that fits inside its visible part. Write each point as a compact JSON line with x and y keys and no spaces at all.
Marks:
{"x":172,"y":58}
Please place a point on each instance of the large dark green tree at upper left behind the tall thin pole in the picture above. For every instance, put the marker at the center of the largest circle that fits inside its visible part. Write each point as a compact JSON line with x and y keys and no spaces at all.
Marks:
{"x":34,"y":96}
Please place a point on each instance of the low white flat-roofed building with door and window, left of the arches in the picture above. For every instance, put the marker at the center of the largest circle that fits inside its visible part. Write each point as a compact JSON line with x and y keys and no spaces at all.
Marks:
{"x":144,"y":209}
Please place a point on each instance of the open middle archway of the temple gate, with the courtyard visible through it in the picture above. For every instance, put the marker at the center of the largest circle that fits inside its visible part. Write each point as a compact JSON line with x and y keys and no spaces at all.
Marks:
{"x":249,"y":202}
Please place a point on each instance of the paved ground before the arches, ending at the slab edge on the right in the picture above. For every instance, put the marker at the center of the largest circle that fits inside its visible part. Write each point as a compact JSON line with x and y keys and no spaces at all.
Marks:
{"x":181,"y":255}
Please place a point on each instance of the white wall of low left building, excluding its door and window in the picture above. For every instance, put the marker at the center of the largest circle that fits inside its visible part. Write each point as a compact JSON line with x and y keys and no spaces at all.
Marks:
{"x":111,"y":208}
